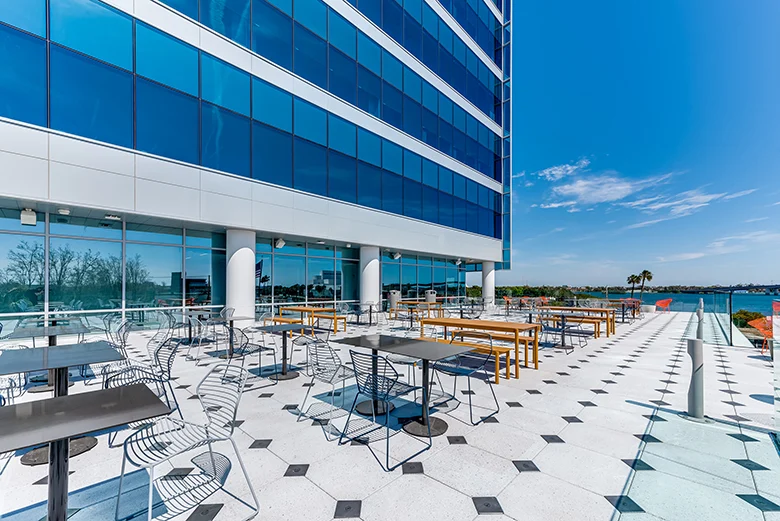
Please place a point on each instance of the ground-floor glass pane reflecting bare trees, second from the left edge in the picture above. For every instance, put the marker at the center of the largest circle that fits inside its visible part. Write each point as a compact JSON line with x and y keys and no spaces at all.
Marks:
{"x":84,"y":274}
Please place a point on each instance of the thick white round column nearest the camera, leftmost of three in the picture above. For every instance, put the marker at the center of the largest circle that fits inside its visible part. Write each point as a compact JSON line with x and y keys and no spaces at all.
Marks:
{"x":240,"y":273}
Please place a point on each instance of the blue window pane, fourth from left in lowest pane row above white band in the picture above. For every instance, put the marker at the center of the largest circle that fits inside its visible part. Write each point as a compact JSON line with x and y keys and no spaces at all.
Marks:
{"x":225,"y":142}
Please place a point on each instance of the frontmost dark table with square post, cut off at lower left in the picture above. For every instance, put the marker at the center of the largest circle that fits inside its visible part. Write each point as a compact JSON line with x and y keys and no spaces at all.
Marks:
{"x":55,"y":420}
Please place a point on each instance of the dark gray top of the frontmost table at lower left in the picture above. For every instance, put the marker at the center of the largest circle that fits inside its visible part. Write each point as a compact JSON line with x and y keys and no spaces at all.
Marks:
{"x":43,"y":421}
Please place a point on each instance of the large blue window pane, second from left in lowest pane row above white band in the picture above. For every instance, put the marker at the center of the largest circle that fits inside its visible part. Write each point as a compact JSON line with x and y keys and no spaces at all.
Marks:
{"x":91,"y":99}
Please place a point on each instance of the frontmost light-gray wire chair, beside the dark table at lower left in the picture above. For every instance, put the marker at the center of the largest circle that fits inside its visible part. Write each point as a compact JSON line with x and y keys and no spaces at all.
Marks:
{"x":219,"y":393}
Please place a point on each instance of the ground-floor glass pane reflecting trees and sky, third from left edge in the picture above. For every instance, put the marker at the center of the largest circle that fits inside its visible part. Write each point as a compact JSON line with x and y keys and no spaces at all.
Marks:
{"x":152,"y":276}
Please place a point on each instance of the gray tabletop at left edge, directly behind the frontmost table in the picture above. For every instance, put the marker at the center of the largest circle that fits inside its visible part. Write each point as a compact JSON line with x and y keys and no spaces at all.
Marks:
{"x":56,"y":357}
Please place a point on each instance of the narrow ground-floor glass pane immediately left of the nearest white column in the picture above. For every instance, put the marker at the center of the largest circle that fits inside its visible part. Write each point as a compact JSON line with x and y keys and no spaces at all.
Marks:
{"x":205,"y":277}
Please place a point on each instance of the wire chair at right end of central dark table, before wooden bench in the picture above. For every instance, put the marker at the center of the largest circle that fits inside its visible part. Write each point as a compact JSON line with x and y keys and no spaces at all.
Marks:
{"x":469,"y":366}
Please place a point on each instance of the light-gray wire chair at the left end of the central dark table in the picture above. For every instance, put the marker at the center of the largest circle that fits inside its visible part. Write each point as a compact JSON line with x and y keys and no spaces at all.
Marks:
{"x":325,"y":366}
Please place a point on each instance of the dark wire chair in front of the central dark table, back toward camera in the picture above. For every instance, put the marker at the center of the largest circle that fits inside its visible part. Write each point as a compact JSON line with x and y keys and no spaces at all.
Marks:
{"x":378,"y":380}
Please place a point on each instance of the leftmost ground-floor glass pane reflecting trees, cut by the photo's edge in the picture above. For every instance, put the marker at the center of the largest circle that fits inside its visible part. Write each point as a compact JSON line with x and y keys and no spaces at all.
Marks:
{"x":21,"y":273}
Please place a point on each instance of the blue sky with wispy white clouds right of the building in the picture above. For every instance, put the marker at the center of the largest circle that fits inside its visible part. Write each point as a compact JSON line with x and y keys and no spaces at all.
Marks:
{"x":646,"y":136}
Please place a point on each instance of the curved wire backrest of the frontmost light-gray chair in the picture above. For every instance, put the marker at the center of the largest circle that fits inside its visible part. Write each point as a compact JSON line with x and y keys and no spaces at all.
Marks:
{"x":220,"y":393}
